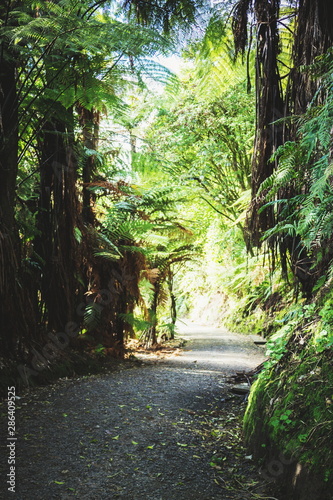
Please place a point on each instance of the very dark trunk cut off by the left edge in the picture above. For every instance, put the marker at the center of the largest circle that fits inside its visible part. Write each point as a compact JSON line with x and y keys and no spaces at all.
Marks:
{"x":17,"y":321}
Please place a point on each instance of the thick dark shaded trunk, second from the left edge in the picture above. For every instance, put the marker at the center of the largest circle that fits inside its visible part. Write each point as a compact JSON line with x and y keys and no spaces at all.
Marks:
{"x":57,"y":220}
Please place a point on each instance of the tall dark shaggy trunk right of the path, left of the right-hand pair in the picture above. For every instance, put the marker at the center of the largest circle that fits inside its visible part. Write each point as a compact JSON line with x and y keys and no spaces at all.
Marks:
{"x":270,"y":107}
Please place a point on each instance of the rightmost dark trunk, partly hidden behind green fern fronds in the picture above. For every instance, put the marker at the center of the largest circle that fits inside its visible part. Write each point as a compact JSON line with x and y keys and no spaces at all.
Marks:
{"x":313,"y":36}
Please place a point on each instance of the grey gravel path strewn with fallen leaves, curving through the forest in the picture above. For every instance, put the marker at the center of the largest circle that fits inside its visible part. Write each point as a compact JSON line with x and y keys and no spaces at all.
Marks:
{"x":157,"y":428}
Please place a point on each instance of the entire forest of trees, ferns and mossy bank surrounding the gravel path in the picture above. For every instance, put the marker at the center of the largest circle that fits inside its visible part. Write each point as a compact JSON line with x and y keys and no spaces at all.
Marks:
{"x":129,"y":196}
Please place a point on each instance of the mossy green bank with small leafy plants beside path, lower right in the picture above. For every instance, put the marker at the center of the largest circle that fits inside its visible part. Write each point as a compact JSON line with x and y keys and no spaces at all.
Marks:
{"x":290,"y":407}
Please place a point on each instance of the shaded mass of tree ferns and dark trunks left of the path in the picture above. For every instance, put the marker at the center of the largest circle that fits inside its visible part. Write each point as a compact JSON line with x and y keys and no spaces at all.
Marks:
{"x":72,"y":227}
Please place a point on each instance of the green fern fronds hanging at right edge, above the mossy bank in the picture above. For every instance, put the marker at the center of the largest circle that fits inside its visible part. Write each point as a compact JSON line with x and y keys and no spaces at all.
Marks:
{"x":305,"y":170}
